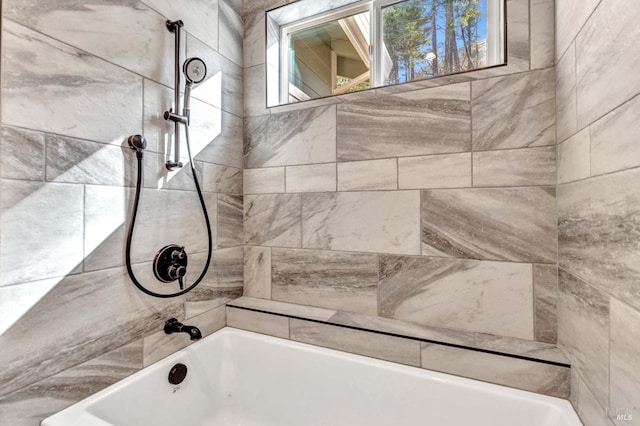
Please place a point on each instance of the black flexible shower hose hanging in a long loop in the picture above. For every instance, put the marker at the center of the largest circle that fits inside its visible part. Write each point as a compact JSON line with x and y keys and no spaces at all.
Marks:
{"x":136,"y":200}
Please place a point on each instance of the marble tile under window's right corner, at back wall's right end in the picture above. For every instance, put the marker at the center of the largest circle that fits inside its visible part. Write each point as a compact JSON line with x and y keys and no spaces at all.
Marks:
{"x":514,"y":111}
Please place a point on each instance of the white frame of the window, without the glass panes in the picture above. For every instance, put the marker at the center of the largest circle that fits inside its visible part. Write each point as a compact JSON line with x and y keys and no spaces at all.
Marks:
{"x":496,"y":40}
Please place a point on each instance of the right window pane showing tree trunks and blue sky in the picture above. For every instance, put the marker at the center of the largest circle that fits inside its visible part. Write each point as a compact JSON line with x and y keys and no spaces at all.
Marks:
{"x":426,"y":38}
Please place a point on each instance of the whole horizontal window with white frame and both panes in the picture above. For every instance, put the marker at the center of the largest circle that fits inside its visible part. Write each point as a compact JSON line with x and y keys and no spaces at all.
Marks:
{"x":377,"y":43}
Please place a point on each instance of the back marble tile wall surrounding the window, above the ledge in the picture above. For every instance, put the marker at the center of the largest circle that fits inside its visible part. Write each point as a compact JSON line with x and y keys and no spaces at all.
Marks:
{"x":427,"y":203}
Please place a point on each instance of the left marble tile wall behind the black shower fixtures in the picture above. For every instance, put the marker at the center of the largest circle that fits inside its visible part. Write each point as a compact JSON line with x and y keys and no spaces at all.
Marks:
{"x":77,"y":78}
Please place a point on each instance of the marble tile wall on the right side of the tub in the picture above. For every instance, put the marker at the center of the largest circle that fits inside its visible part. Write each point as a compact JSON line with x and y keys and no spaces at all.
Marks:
{"x":598,"y":232}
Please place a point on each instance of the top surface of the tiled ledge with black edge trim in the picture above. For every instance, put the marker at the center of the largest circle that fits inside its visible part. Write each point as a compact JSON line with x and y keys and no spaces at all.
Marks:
{"x":480,"y":342}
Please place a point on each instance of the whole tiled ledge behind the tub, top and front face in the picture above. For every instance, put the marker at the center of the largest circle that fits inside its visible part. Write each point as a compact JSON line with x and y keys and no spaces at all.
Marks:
{"x":542,"y":371}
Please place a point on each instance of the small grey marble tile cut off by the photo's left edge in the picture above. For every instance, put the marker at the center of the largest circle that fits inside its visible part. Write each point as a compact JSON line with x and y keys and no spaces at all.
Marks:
{"x":21,"y":154}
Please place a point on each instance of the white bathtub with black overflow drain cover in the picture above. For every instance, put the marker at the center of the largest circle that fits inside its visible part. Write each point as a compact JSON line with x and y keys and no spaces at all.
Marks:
{"x":241,"y":378}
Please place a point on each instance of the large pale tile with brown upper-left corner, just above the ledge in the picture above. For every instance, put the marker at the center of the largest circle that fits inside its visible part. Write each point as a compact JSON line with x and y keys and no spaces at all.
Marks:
{"x":488,"y":297}
